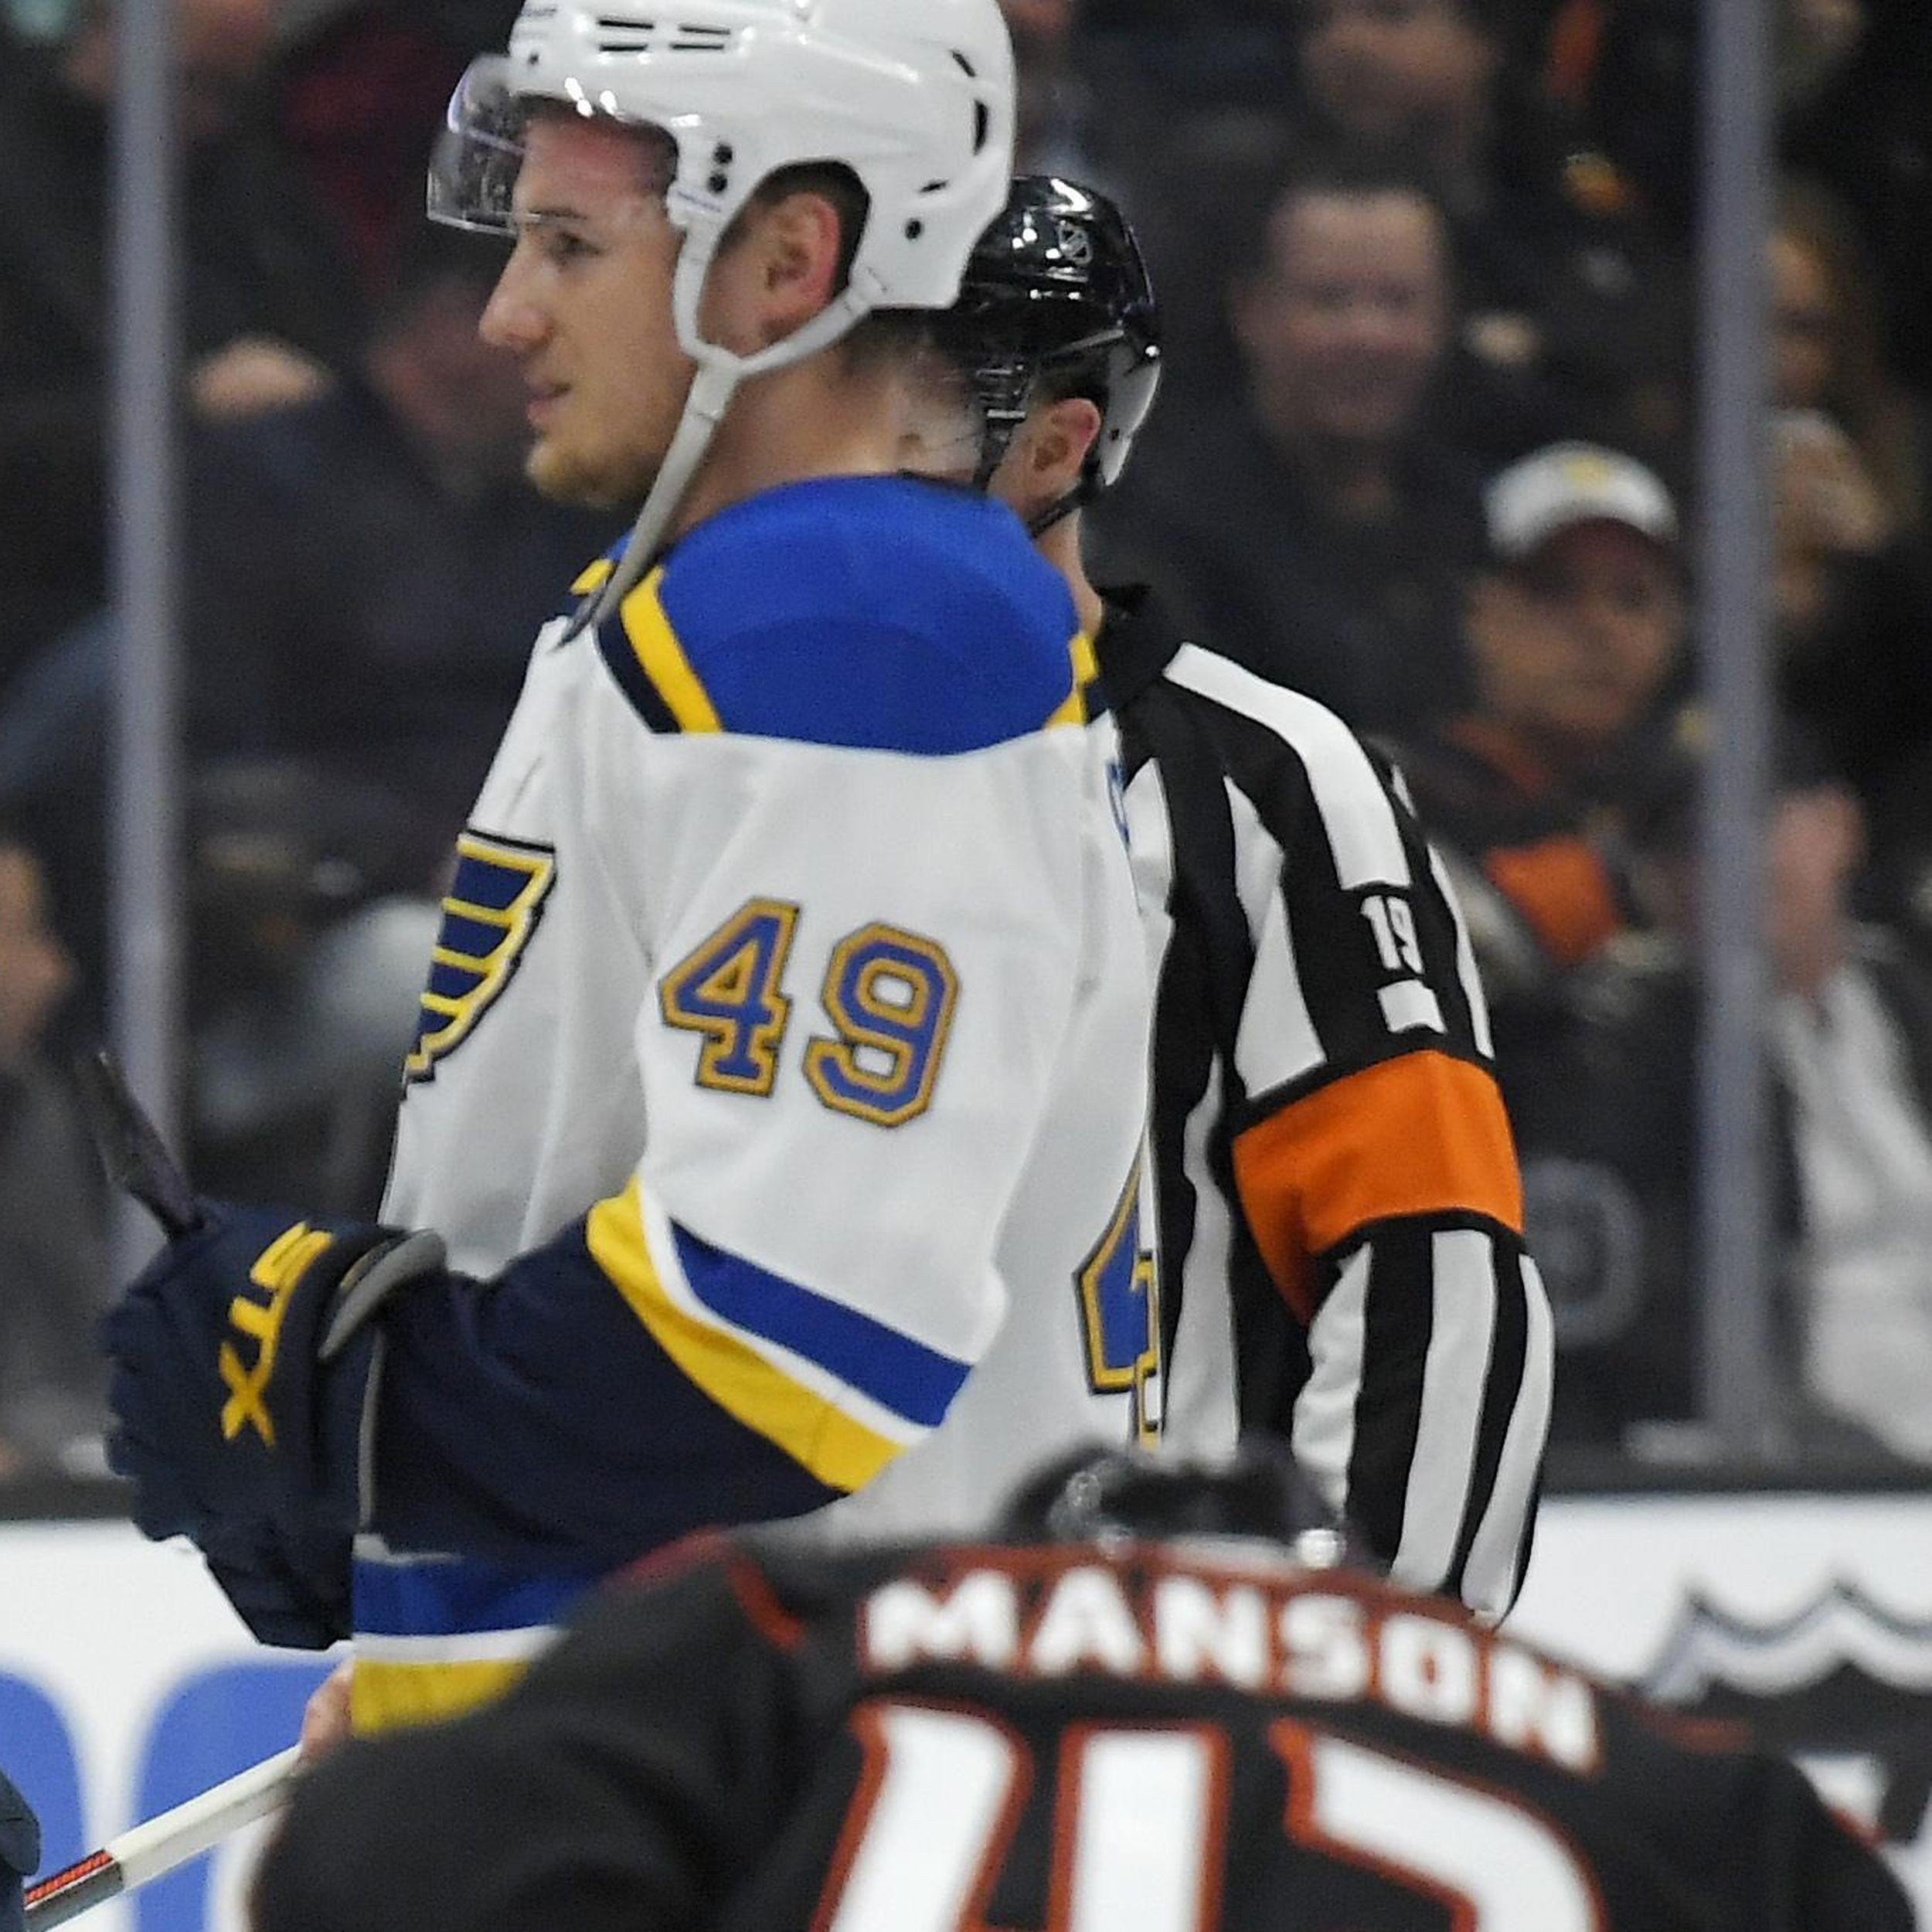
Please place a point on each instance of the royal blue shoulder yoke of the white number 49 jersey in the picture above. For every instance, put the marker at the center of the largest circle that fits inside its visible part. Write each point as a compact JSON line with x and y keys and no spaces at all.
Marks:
{"x":868,"y":613}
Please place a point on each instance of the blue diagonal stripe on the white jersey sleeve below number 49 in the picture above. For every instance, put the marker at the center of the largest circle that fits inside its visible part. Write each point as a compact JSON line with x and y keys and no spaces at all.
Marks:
{"x":878,"y":1361}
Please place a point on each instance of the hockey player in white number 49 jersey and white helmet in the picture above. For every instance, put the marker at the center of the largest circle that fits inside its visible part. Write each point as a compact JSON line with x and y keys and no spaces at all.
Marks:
{"x":789,"y":1013}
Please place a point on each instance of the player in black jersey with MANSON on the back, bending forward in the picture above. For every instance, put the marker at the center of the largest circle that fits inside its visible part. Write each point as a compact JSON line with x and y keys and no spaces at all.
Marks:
{"x":1158,"y":1703}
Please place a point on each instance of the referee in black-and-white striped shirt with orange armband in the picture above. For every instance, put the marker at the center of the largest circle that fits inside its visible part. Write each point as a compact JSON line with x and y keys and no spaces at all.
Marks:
{"x":1340,"y":1205}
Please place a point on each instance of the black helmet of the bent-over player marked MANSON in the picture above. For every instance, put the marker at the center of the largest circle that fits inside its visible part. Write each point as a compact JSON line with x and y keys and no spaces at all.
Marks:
{"x":1131,"y":1496}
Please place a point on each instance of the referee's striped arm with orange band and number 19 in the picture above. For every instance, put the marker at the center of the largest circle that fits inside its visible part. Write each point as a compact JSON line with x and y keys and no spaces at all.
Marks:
{"x":1384,"y":1195}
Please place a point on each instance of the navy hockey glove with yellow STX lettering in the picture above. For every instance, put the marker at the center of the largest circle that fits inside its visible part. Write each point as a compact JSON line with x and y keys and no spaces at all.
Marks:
{"x":242,"y":1363}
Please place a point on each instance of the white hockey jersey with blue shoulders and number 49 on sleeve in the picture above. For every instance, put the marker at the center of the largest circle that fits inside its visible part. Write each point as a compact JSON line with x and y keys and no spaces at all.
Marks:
{"x":780,"y":1077}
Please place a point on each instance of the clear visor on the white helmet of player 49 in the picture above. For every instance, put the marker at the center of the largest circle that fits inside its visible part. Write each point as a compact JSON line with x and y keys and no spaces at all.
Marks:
{"x":486,"y":134}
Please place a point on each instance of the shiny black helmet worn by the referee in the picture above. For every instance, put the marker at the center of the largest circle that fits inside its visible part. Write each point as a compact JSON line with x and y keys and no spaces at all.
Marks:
{"x":1058,"y":295}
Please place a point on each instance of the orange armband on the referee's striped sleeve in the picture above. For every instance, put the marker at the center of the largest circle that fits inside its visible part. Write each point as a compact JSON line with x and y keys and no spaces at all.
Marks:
{"x":1417,"y":1135}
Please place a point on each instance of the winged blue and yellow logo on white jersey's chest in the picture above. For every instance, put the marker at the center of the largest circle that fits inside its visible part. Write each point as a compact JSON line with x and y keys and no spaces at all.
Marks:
{"x":490,"y":917}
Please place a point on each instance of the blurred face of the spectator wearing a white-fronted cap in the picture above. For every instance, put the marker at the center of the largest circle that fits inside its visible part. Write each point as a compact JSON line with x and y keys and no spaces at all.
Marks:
{"x":1579,"y":640}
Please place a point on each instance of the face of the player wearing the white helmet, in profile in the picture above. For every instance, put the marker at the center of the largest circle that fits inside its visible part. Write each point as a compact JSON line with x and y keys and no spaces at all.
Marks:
{"x":584,"y":304}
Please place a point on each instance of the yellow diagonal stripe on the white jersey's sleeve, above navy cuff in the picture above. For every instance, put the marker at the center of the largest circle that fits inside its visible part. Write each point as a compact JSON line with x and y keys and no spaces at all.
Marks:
{"x":816,"y":1435}
